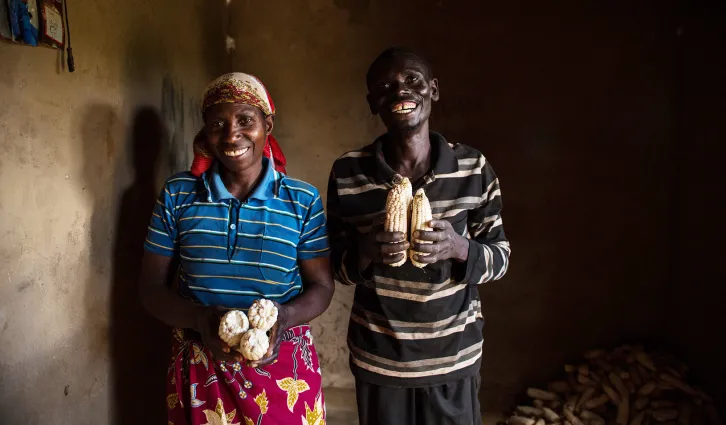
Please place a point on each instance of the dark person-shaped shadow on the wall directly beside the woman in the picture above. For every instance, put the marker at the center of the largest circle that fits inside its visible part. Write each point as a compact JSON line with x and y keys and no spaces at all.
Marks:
{"x":141,"y":344}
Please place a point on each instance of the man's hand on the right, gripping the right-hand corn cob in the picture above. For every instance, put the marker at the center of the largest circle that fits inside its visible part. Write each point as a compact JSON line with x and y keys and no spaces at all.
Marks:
{"x":445,"y":244}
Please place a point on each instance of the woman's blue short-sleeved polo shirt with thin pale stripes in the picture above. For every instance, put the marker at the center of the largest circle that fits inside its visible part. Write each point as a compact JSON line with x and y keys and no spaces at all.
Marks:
{"x":233,"y":252}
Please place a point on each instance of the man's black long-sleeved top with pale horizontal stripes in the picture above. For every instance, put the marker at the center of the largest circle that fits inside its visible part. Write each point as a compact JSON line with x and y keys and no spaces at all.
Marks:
{"x":410,"y":326}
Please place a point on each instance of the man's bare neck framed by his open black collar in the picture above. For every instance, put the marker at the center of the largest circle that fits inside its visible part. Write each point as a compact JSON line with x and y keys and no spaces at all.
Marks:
{"x":409,"y":152}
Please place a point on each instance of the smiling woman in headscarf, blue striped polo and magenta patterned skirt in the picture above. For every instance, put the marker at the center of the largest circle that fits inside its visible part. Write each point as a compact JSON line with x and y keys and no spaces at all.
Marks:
{"x":238,"y":232}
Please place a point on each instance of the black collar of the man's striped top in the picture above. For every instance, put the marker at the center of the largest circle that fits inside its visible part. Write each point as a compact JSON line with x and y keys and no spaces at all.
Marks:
{"x":442,"y":155}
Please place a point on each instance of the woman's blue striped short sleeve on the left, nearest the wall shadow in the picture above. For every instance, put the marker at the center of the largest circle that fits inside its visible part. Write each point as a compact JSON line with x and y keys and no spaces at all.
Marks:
{"x":161,"y":237}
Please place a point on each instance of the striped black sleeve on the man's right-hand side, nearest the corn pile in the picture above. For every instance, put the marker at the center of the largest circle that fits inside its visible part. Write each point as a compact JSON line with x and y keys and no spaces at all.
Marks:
{"x":488,"y":246}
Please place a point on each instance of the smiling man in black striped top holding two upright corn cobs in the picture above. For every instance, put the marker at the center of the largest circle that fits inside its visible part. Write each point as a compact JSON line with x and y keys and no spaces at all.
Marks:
{"x":415,"y":335}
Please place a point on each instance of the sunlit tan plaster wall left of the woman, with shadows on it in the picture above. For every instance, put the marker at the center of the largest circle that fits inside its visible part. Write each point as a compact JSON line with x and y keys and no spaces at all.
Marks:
{"x":83,"y":156}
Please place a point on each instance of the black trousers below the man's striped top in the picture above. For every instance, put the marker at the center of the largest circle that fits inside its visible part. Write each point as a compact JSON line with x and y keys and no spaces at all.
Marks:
{"x":454,"y":403}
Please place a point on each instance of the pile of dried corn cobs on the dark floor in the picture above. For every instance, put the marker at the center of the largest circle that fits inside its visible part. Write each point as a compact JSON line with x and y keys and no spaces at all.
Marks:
{"x":627,"y":386}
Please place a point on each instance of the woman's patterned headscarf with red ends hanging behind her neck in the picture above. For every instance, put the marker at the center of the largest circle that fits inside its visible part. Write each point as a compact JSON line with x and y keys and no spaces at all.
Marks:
{"x":243,"y":89}
